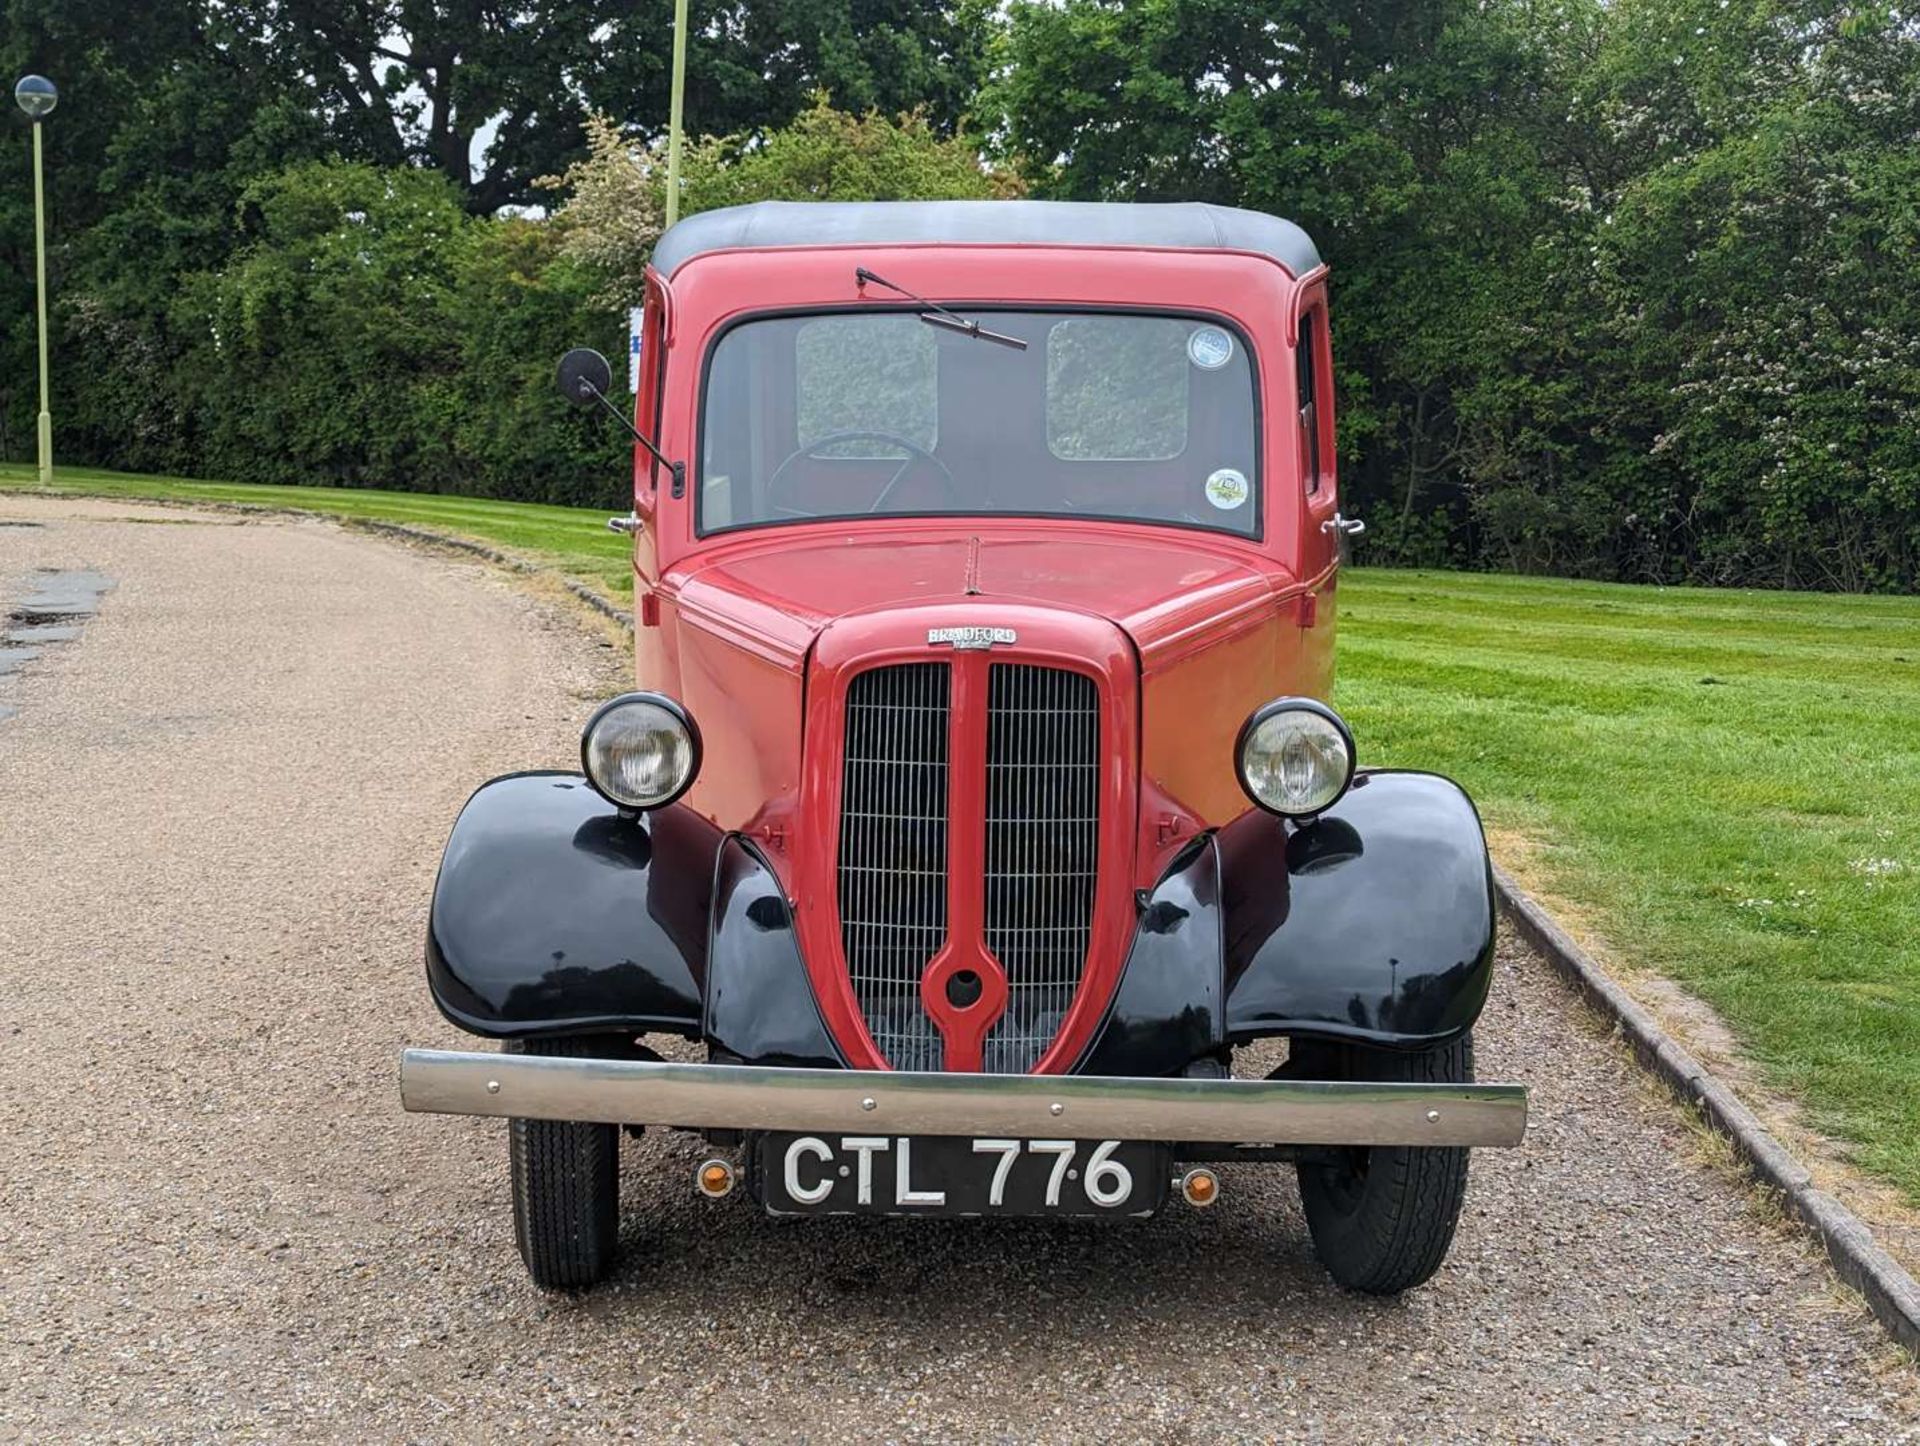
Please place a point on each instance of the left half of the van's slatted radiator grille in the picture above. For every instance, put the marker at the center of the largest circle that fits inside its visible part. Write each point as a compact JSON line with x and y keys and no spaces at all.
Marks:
{"x":894,"y":852}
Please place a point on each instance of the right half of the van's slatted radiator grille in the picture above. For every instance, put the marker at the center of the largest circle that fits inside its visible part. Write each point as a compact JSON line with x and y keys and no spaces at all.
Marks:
{"x":1044,"y":819}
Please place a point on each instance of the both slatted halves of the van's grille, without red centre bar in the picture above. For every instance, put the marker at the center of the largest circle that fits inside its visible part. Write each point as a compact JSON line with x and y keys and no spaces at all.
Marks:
{"x":1042,"y":798}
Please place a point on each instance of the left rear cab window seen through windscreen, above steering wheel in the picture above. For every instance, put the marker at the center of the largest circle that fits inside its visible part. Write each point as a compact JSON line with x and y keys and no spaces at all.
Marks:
{"x":865,"y":375}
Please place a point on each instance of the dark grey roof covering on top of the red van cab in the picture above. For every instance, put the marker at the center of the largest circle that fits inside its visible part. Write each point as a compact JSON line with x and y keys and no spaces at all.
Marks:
{"x":986,"y":224}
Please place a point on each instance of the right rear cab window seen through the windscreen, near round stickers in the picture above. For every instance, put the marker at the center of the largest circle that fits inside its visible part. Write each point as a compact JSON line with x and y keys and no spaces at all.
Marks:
{"x":1116,"y":389}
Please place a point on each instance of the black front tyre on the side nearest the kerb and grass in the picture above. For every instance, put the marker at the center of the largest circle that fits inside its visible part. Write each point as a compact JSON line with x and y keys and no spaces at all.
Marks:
{"x":1383,"y":1217}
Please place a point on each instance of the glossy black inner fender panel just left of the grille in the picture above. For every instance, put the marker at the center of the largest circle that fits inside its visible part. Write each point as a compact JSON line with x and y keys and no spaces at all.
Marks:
{"x":759,"y":1001}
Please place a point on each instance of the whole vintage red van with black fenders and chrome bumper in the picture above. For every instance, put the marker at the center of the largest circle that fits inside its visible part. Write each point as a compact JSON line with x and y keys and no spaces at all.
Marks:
{"x":980,"y":794}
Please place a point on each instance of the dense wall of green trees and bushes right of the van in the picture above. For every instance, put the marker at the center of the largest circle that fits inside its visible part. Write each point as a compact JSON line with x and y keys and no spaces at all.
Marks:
{"x":1623,"y":289}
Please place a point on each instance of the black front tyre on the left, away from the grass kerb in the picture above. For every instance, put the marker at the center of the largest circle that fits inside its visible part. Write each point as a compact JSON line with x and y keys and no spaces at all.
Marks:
{"x":565,"y":1184}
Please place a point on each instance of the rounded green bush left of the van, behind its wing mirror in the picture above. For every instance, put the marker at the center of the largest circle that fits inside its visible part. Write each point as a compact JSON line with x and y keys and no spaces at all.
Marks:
{"x":372,"y":333}
